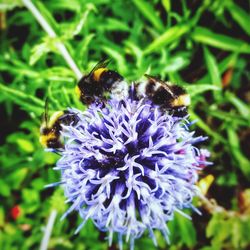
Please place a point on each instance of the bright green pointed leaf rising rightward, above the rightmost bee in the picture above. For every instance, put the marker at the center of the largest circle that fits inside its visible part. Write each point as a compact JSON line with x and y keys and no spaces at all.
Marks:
{"x":170,"y":35}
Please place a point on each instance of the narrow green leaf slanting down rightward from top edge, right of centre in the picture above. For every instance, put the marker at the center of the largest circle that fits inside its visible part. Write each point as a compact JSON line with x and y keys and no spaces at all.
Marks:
{"x":149,"y":13}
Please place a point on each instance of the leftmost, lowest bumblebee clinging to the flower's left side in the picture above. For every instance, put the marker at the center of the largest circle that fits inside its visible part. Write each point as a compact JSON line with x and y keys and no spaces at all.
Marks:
{"x":50,"y":130}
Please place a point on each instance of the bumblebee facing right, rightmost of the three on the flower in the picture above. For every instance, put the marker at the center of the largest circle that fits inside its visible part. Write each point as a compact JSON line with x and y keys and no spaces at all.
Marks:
{"x":169,"y":97}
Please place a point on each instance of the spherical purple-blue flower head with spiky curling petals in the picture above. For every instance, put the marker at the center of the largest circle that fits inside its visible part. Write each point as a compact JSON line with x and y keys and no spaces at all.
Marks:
{"x":129,"y":166}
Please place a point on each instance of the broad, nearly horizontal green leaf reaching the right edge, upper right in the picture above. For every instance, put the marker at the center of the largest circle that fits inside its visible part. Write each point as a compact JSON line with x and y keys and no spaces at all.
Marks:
{"x":206,"y":36}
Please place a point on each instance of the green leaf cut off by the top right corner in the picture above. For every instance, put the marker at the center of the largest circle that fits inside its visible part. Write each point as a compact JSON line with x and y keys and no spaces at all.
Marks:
{"x":239,"y":15}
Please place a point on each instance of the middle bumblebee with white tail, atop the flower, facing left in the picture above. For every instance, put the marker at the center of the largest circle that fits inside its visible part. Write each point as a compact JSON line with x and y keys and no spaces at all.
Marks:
{"x":100,"y":82}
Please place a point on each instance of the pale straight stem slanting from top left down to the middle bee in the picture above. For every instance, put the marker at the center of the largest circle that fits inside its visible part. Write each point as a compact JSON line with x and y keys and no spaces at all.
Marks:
{"x":61,"y":47}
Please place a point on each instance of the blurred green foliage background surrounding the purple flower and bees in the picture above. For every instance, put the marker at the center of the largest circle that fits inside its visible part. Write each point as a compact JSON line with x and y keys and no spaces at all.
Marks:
{"x":202,"y":45}
